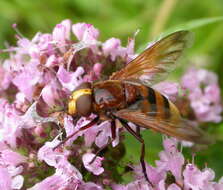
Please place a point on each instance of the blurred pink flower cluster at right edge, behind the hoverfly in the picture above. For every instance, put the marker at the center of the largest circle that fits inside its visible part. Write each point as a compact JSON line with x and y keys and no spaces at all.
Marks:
{"x":204,"y":94}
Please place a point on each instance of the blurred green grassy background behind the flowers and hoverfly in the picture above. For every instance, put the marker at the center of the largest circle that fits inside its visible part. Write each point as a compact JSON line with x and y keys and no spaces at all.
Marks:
{"x":121,"y":18}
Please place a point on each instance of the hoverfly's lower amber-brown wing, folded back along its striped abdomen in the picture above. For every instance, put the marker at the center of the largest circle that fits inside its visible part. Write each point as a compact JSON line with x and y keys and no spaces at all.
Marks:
{"x":180,"y":128}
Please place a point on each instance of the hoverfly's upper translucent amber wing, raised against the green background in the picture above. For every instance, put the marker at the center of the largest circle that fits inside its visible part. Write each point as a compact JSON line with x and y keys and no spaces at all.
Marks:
{"x":157,"y":61}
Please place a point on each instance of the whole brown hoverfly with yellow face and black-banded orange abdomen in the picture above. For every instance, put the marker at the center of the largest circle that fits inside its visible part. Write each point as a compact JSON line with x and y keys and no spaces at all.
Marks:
{"x":127,"y":96}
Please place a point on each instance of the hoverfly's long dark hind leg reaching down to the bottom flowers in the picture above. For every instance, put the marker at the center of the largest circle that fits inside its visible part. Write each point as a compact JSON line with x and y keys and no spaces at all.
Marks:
{"x":140,"y":139}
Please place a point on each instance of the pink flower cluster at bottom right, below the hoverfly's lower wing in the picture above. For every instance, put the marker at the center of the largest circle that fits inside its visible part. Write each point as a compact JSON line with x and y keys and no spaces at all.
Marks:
{"x":173,"y":173}
